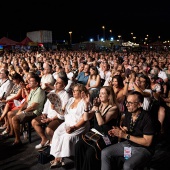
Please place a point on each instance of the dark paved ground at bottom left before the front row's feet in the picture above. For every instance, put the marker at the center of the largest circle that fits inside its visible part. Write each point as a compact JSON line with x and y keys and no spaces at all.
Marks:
{"x":24,"y":157}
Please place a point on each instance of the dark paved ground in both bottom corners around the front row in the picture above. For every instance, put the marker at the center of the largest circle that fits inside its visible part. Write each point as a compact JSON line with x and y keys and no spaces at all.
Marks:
{"x":25,"y":157}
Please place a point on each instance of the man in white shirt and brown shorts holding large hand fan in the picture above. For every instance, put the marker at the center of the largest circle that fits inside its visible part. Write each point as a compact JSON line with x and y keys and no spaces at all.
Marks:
{"x":50,"y":117}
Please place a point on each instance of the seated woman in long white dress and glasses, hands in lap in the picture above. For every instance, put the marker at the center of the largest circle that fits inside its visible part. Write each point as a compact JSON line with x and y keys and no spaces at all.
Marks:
{"x":68,"y":133}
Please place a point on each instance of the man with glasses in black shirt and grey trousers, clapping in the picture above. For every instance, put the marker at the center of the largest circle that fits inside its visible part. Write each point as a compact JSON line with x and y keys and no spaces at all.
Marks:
{"x":136,"y":134}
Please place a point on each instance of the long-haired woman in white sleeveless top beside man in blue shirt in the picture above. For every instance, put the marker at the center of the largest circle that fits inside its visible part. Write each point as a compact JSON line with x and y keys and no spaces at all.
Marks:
{"x":93,"y":83}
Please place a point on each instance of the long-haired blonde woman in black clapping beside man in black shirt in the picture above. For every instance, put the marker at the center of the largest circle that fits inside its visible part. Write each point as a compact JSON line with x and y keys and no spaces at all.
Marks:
{"x":105,"y":114}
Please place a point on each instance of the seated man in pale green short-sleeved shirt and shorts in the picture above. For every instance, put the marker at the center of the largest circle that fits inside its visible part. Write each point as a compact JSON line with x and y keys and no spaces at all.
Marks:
{"x":32,"y":107}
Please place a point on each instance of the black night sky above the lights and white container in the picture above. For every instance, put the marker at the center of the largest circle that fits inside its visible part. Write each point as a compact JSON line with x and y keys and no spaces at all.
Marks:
{"x":85,"y":19}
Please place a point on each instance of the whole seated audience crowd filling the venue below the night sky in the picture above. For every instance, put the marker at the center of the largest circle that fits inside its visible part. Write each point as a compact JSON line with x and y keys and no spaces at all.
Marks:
{"x":125,"y":96}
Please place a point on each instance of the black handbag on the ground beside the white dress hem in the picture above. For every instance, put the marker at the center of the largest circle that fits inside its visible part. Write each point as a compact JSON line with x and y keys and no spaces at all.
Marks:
{"x":44,"y":155}
